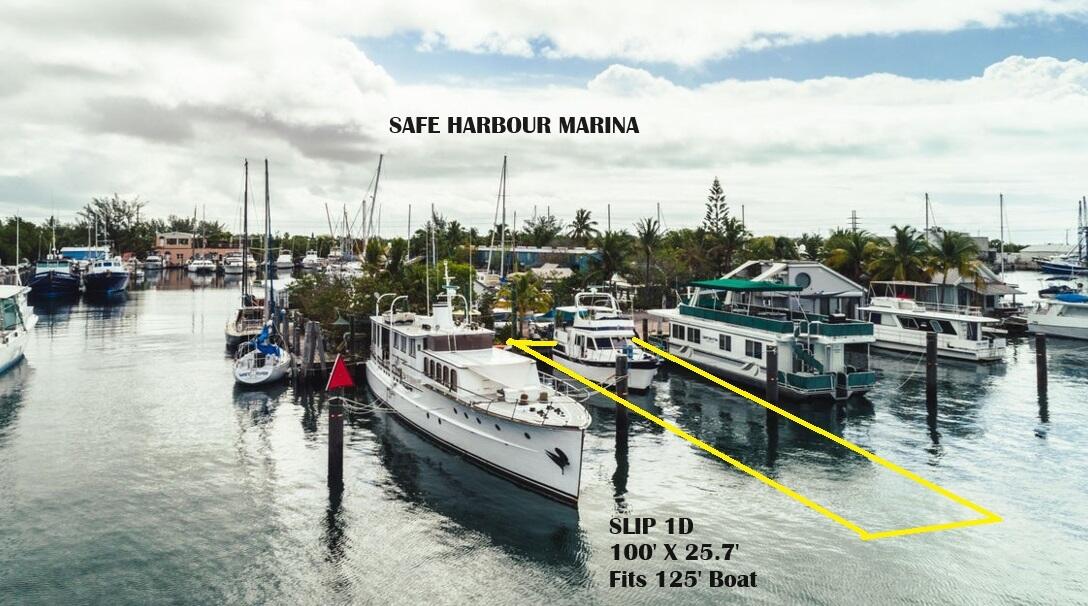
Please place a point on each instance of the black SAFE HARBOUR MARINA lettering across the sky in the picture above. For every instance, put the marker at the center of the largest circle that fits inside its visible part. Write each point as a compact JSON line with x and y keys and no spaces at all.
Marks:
{"x":515,"y":126}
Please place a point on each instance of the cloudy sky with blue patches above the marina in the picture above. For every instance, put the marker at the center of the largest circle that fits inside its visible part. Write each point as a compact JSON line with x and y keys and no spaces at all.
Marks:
{"x":807,"y":112}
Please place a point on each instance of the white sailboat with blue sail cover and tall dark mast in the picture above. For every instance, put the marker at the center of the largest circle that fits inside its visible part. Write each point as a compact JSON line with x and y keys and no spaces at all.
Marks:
{"x":264,"y":360}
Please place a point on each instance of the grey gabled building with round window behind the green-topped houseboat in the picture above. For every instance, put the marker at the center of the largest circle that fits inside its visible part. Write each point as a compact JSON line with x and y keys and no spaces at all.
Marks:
{"x":823,"y":290}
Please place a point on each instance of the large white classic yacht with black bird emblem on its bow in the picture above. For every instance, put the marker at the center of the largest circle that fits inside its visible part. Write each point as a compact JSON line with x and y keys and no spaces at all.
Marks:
{"x":450,"y":382}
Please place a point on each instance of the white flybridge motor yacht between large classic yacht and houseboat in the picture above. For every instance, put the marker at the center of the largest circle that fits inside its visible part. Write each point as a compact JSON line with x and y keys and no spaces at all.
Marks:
{"x":592,"y":333}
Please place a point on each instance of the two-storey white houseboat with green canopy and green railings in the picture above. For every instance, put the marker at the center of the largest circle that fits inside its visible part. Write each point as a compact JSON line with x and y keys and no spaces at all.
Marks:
{"x":726,"y":329}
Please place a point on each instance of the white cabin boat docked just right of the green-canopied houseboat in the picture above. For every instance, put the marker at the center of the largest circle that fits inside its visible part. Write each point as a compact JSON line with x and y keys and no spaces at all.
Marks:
{"x":902,"y":318}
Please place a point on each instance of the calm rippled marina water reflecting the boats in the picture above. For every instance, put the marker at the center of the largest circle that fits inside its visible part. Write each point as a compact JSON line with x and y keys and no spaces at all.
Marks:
{"x":133,"y":473}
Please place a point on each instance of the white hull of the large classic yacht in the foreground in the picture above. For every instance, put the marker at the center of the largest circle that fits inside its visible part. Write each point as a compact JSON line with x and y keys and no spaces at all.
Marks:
{"x":528,"y":454}
